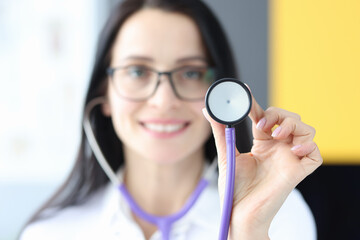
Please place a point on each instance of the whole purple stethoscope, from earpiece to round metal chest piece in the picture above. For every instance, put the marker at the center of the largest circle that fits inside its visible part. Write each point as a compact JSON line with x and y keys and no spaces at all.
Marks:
{"x":228,"y":101}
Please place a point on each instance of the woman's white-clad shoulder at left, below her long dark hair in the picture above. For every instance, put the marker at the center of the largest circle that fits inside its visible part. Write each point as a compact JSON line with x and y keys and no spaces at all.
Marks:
{"x":69,"y":223}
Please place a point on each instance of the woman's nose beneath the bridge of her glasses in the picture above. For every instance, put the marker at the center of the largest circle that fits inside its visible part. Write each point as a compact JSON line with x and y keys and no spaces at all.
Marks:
{"x":164,"y":96}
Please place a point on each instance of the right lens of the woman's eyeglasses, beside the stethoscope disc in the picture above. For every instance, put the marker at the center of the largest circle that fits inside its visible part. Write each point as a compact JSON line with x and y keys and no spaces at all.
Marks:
{"x":192,"y":82}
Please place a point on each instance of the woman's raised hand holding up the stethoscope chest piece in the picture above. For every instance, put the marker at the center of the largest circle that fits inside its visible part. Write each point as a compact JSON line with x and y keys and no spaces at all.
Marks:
{"x":278,"y":161}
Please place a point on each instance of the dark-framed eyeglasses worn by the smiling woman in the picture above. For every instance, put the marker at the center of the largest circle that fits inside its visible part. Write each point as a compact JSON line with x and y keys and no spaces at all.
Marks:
{"x":138,"y":83}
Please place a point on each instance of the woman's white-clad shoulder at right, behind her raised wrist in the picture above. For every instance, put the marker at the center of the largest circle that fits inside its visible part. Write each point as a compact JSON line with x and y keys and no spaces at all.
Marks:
{"x":294,"y":220}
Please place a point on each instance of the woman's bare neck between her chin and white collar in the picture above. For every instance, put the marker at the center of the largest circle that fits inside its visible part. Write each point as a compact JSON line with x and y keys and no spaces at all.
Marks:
{"x":162,"y":188}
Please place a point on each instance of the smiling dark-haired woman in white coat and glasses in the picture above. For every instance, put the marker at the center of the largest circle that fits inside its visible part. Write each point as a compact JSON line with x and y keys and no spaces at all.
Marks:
{"x":152,"y":132}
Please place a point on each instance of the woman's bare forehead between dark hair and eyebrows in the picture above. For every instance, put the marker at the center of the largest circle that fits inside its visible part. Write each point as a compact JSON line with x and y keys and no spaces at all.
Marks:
{"x":164,"y":36}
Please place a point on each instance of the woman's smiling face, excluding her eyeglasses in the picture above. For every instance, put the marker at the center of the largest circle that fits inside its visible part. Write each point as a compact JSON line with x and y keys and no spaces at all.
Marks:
{"x":162,"y":128}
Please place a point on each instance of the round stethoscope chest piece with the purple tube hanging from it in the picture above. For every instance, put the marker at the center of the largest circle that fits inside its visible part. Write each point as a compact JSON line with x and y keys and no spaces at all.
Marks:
{"x":228,"y":101}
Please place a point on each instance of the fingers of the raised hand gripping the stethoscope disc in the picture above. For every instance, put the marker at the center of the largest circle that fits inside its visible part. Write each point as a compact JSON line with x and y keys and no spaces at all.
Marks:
{"x":290,"y":128}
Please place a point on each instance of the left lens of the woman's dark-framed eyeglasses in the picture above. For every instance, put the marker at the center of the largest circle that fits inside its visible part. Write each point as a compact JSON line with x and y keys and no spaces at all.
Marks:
{"x":134,"y":82}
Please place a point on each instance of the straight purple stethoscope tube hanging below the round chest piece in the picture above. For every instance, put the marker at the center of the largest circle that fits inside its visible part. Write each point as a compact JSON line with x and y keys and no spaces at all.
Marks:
{"x":229,"y":185}
